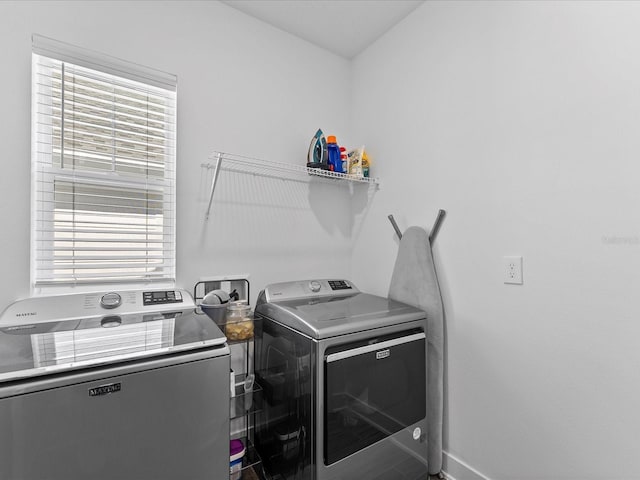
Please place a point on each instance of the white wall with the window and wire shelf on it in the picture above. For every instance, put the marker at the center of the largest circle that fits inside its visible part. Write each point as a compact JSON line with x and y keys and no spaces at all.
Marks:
{"x":243,"y":87}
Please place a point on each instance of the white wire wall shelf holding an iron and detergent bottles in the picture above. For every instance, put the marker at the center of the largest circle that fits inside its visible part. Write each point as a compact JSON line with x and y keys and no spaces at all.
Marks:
{"x":290,"y":171}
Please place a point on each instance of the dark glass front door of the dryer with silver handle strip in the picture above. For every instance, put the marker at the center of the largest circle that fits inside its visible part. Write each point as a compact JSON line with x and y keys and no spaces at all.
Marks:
{"x":373,"y":389}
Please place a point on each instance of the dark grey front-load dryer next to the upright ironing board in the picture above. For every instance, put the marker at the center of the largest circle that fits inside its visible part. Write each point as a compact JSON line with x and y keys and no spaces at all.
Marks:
{"x":344,"y":380}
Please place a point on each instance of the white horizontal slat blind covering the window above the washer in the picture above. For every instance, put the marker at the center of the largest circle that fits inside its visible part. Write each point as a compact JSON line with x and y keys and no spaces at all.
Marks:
{"x":103,"y":171}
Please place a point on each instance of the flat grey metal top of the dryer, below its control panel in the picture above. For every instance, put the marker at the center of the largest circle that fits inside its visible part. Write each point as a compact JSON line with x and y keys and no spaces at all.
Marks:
{"x":329,"y":316}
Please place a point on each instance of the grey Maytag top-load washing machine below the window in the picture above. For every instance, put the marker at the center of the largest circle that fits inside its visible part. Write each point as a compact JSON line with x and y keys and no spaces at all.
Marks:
{"x":128,"y":385}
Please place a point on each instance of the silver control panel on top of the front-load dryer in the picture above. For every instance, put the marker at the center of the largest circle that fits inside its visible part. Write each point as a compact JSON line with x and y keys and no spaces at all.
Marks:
{"x":308,"y":289}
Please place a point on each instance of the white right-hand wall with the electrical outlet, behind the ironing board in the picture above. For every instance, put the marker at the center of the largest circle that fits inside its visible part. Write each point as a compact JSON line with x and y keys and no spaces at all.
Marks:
{"x":521,"y":119}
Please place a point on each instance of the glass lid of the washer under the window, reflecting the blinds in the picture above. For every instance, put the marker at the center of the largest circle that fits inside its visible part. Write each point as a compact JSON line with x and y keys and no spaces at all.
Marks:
{"x":42,"y":348}
